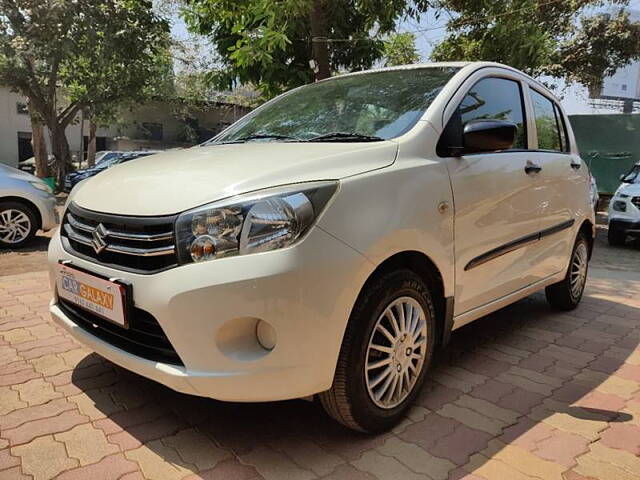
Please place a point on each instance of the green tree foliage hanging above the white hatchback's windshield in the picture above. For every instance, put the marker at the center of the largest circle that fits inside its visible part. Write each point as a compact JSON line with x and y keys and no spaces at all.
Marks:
{"x":269,"y":43}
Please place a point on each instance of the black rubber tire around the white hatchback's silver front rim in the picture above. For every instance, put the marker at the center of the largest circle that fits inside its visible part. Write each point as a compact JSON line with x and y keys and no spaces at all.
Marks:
{"x":348,"y":400}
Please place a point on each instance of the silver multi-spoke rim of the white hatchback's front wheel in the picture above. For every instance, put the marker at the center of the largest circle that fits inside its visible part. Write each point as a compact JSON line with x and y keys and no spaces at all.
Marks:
{"x":396,"y":351}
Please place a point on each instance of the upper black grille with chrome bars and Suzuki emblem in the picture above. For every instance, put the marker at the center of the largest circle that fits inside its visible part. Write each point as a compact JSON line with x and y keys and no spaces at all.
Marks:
{"x":135,"y":244}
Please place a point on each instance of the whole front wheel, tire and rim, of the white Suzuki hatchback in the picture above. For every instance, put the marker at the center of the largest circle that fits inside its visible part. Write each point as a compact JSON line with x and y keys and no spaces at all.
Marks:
{"x":385,"y":354}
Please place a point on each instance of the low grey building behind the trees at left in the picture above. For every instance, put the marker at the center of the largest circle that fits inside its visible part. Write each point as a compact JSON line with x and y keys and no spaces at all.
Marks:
{"x":149,"y":127}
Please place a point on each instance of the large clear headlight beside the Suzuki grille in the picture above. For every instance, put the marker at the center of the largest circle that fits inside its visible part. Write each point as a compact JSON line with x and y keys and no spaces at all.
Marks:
{"x":252,"y":223}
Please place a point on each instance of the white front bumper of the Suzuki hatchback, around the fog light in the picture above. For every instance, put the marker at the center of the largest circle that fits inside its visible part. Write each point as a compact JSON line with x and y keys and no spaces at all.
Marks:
{"x":207,"y":310}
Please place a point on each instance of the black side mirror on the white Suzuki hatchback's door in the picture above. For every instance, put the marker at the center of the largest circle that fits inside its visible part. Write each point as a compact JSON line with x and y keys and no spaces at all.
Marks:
{"x":489,"y":135}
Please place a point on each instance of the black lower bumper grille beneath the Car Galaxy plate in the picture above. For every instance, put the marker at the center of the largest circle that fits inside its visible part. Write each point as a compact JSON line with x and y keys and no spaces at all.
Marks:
{"x":144,"y":337}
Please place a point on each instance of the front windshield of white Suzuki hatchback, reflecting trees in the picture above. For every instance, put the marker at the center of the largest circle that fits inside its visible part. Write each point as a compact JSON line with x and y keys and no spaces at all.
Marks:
{"x":378,"y":105}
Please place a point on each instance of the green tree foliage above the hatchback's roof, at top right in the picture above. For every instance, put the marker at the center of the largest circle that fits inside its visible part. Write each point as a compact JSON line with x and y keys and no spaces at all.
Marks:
{"x":542,"y":37}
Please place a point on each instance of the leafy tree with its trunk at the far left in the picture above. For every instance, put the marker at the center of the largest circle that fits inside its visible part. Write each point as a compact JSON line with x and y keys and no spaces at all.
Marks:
{"x":65,"y":56}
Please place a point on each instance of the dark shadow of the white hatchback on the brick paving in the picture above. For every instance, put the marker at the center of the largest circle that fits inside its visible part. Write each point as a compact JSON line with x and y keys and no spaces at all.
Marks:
{"x":531,"y":363}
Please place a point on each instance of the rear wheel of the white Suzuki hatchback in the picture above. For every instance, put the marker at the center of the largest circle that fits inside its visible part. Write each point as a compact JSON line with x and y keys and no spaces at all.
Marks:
{"x":566,"y":294}
